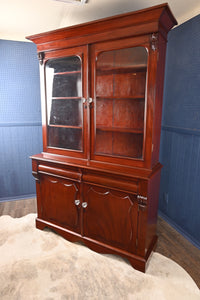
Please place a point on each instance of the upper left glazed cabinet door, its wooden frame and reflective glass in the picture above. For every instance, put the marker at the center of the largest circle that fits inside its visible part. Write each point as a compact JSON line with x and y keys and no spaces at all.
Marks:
{"x":65,"y":119}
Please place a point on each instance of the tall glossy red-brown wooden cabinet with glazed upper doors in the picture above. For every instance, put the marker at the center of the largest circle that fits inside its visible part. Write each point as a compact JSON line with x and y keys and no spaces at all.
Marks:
{"x":97,"y":178}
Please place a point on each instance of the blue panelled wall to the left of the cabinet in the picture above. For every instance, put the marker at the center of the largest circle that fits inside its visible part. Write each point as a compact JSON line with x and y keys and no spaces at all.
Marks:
{"x":20,"y":118}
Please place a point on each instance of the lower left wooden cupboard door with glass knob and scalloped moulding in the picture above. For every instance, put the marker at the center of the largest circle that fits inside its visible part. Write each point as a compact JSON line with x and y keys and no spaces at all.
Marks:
{"x":60,"y":202}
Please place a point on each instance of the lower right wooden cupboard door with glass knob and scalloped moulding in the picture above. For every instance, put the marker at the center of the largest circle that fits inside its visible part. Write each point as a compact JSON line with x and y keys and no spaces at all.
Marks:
{"x":110,"y":217}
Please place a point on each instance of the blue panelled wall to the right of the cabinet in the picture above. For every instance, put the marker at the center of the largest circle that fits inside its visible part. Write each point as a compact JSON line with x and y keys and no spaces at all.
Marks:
{"x":180,"y":140}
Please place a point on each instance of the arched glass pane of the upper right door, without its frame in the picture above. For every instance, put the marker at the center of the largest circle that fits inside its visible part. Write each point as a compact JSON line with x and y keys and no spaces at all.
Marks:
{"x":120,"y":102}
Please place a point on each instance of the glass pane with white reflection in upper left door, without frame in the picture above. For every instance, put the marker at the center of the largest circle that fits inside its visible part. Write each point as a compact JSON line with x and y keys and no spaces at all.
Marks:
{"x":64,"y":104}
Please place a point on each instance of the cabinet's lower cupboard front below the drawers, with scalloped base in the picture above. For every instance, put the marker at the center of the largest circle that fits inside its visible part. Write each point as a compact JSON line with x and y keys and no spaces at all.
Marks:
{"x":105,"y":219}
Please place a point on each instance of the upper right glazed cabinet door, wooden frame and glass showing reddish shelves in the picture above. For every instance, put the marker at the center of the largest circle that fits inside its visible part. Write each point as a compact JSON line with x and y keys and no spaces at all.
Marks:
{"x":118,"y":114}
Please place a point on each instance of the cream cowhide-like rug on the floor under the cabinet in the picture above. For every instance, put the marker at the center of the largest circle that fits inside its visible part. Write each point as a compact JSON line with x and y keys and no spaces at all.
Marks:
{"x":41,"y":265}
